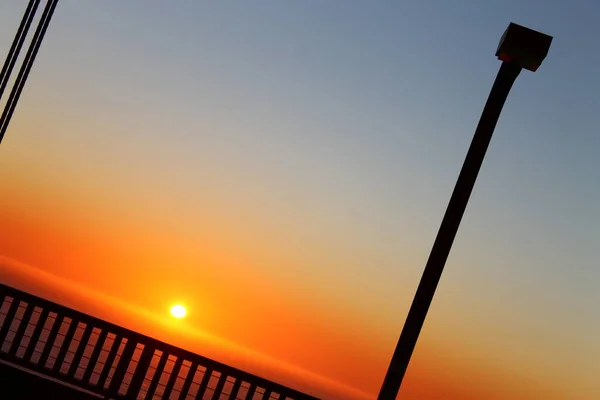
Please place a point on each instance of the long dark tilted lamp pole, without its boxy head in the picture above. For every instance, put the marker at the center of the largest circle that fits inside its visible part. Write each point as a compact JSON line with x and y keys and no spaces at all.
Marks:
{"x":443,"y":243}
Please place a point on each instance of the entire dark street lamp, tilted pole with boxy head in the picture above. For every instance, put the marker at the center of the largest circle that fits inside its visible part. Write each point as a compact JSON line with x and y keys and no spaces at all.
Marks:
{"x":519,"y":48}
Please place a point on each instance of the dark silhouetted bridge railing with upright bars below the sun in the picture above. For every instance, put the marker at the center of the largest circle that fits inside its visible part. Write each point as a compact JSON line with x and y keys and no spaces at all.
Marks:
{"x":114,"y":362}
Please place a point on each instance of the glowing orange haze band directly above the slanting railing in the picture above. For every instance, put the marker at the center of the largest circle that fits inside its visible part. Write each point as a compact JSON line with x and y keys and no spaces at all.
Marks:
{"x":100,"y":305}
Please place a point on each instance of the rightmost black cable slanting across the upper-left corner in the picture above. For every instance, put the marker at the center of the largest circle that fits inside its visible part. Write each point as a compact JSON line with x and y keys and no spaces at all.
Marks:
{"x":26,"y":67}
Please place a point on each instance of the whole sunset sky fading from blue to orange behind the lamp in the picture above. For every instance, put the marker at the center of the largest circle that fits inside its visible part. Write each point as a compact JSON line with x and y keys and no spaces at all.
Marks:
{"x":282,"y":169}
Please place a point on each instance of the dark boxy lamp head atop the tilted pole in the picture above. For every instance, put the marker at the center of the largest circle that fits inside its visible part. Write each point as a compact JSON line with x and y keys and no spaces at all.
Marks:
{"x":523,"y":46}
